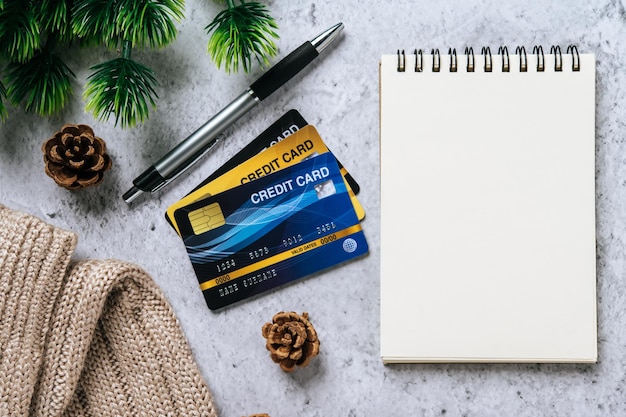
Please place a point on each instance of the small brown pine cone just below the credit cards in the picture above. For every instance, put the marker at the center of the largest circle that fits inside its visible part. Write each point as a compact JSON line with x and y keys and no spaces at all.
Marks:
{"x":291,"y":340}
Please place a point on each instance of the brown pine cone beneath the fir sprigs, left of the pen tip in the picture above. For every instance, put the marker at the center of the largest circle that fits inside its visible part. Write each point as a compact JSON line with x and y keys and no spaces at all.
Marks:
{"x":75,"y":157}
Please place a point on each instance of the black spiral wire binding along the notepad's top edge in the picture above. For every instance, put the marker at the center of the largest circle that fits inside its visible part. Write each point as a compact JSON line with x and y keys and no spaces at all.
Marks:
{"x":503,"y":51}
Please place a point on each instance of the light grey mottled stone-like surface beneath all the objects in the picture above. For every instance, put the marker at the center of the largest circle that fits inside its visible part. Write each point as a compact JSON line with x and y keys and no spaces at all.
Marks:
{"x":339,"y":95}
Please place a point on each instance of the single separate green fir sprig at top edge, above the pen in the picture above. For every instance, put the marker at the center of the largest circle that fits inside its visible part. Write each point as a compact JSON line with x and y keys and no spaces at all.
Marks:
{"x":240,"y":33}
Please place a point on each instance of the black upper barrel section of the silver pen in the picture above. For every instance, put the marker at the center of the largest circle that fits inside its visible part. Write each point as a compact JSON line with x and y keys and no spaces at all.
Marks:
{"x":282,"y":72}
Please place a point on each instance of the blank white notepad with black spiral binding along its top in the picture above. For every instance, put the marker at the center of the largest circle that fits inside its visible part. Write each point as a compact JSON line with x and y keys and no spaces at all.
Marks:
{"x":488,"y":206}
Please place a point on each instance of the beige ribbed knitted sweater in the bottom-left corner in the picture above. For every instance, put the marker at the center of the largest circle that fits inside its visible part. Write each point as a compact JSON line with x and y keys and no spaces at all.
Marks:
{"x":93,"y":338}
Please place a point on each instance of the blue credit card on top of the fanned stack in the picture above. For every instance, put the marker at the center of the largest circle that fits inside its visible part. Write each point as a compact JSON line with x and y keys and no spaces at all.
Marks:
{"x":271,"y":231}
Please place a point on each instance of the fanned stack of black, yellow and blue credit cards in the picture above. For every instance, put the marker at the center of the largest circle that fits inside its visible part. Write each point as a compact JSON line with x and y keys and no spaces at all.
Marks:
{"x":281,"y":209}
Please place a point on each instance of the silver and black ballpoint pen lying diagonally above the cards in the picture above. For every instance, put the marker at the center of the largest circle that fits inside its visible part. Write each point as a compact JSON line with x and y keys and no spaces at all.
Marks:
{"x":199,"y":143}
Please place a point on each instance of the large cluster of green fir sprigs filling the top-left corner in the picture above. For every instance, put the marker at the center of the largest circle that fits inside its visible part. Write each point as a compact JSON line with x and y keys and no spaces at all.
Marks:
{"x":35,"y":75}
